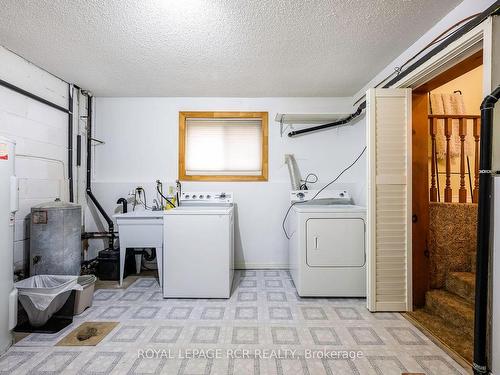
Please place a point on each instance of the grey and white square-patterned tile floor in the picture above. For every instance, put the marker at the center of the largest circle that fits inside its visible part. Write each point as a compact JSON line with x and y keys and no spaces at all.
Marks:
{"x":263,"y":315}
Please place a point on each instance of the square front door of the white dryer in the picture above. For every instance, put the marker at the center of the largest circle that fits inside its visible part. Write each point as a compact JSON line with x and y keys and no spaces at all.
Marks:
{"x":335,"y":242}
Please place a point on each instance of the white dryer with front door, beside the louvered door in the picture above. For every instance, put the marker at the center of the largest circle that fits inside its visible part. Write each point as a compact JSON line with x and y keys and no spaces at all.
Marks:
{"x":327,"y":244}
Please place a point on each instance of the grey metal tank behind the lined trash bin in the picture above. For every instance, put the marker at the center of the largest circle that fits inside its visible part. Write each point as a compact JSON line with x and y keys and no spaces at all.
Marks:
{"x":55,"y":239}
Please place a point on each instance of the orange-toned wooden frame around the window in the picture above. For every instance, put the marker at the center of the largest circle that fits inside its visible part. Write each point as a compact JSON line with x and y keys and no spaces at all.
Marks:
{"x":182,"y":146}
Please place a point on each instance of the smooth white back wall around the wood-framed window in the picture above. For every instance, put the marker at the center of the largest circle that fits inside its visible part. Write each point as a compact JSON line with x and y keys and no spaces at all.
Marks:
{"x":141,"y":136}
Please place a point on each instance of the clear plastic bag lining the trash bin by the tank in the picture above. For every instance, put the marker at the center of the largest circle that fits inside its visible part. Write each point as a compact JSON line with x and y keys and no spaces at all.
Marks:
{"x":43,"y":295}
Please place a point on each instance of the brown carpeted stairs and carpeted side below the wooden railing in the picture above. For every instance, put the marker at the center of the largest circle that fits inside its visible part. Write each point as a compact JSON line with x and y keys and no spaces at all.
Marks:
{"x":448,"y":313}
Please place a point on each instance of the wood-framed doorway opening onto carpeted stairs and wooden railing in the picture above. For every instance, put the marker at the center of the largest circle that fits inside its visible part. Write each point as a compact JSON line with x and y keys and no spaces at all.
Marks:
{"x":445,"y":146}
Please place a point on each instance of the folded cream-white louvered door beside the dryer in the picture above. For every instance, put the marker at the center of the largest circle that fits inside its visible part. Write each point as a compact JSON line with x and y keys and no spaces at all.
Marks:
{"x":389,"y":199}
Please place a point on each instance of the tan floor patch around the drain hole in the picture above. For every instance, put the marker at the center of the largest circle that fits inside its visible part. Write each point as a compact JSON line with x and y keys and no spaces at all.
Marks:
{"x":88,"y":334}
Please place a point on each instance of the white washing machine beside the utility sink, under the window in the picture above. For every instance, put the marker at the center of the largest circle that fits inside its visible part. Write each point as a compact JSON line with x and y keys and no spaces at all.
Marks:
{"x":198,"y":246}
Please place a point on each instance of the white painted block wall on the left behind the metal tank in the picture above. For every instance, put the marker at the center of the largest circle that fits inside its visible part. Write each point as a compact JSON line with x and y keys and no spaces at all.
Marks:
{"x":41,"y":136}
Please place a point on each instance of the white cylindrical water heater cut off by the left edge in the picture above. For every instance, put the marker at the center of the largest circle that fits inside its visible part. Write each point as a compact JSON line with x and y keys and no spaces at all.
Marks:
{"x":8,"y":206}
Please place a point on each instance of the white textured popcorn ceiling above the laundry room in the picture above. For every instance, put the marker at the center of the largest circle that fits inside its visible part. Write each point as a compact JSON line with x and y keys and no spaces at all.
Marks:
{"x":240,"y":48}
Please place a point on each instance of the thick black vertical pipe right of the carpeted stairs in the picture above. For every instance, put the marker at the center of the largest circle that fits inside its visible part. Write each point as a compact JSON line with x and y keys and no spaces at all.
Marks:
{"x":480,"y":364}
